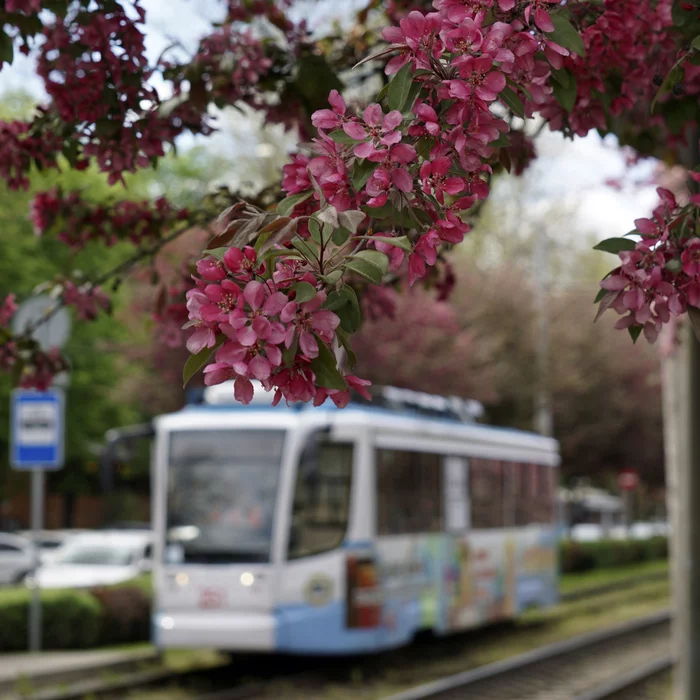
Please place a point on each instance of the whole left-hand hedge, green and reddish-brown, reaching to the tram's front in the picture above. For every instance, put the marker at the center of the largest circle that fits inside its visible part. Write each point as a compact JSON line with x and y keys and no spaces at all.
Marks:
{"x":77,"y":619}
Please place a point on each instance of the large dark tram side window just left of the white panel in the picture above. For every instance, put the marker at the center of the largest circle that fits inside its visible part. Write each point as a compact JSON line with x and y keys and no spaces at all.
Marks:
{"x":409,"y":492}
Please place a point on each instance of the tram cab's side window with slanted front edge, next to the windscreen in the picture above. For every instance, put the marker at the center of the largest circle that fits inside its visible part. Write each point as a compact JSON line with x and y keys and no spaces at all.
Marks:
{"x":321,"y":501}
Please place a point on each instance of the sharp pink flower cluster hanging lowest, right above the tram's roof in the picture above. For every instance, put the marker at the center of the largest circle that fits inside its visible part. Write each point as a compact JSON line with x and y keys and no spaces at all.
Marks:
{"x":260,"y":331}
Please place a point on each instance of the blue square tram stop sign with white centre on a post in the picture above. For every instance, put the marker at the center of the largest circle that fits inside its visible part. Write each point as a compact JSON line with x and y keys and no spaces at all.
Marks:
{"x":36,"y":429}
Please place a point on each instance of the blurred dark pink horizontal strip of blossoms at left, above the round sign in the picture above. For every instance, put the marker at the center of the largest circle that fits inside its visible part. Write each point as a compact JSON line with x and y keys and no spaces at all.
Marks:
{"x":80,"y":221}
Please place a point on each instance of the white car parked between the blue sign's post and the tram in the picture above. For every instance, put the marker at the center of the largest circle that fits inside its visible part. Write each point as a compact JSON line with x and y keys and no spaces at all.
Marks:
{"x":97,"y":559}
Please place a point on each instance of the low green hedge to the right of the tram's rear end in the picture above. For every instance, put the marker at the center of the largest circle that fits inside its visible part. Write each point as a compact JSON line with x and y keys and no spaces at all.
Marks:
{"x":575,"y":557}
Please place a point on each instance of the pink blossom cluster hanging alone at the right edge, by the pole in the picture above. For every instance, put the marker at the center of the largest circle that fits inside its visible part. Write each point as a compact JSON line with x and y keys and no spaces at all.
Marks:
{"x":660,"y":277}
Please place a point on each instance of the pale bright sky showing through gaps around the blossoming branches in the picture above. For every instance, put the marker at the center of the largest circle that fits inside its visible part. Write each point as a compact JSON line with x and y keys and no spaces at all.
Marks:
{"x":575,"y":171}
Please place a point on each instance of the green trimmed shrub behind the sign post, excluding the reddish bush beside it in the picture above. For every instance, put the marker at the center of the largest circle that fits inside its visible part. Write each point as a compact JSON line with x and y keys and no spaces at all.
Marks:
{"x":70,"y":619}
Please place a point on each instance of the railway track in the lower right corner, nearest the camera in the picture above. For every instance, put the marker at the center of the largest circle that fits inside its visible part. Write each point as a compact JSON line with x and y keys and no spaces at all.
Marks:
{"x":569,"y":670}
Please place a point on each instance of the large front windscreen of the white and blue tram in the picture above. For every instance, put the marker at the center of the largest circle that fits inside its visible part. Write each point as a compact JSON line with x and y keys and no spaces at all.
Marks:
{"x":222,"y":487}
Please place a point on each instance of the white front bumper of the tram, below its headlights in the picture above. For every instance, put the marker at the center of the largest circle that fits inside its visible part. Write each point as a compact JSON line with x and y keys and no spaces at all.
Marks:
{"x":215,"y":629}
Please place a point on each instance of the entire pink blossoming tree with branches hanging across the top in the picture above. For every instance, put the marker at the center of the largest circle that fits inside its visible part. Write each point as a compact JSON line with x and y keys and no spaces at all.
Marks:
{"x":377,"y":193}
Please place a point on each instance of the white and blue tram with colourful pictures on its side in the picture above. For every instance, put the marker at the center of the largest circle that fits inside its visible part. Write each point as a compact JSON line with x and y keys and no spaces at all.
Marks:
{"x":325,"y":531}
